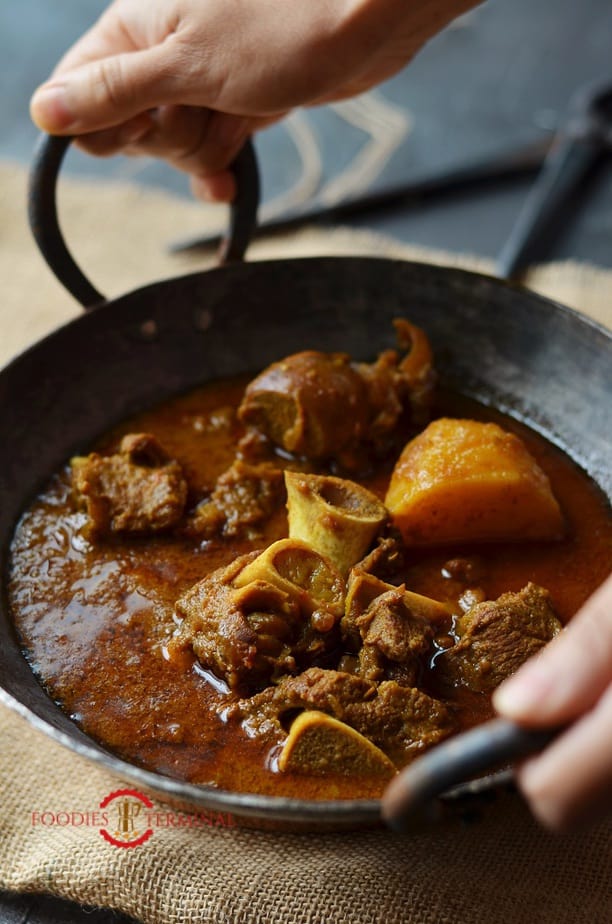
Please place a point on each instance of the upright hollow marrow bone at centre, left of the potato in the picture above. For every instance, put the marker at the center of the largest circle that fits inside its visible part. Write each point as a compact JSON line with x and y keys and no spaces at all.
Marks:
{"x":335,"y":516}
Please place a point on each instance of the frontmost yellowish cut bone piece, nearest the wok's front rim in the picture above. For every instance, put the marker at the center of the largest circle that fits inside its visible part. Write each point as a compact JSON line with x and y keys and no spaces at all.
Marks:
{"x":319,"y":744}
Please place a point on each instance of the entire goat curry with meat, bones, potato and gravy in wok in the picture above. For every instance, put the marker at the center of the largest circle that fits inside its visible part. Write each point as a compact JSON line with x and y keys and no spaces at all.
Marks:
{"x":296,"y":584}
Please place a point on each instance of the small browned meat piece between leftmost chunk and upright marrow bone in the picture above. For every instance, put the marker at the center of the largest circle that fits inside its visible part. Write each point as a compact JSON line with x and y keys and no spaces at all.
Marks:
{"x":243,"y":498}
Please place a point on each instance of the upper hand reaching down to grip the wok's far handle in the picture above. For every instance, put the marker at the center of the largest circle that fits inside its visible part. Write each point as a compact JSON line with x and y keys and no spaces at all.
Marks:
{"x":189,"y":80}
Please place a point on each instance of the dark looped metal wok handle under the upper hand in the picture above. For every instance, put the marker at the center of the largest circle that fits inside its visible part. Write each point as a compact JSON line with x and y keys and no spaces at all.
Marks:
{"x":44,"y":223}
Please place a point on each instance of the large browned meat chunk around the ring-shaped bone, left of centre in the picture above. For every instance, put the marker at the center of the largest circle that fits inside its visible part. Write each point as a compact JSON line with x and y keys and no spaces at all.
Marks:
{"x":253,"y":634}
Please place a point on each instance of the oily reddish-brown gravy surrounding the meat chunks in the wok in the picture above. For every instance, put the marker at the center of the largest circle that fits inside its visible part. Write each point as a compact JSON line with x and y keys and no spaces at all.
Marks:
{"x":94,"y":619}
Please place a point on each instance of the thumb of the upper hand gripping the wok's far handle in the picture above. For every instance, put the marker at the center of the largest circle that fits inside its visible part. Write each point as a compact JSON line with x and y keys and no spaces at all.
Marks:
{"x":106,"y":92}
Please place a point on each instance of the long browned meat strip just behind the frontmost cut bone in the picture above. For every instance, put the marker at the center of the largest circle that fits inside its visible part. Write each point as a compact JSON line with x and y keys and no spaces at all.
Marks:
{"x":401,"y":721}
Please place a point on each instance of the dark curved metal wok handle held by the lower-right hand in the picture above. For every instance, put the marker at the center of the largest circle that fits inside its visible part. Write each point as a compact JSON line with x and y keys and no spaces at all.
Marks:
{"x":411,"y":793}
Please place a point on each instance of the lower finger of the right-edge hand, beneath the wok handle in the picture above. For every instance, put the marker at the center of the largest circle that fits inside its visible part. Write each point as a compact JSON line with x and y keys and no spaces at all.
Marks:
{"x":571,"y":781}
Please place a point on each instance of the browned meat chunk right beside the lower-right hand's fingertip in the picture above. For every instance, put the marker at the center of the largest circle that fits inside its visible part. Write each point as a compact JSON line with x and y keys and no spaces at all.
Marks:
{"x":496,"y":637}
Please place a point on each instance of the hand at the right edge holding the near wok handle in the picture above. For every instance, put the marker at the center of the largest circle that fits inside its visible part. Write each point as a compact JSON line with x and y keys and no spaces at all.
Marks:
{"x":570,"y":681}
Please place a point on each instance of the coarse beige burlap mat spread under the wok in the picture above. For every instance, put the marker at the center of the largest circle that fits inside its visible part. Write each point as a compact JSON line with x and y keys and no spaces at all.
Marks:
{"x":500,"y":870}
